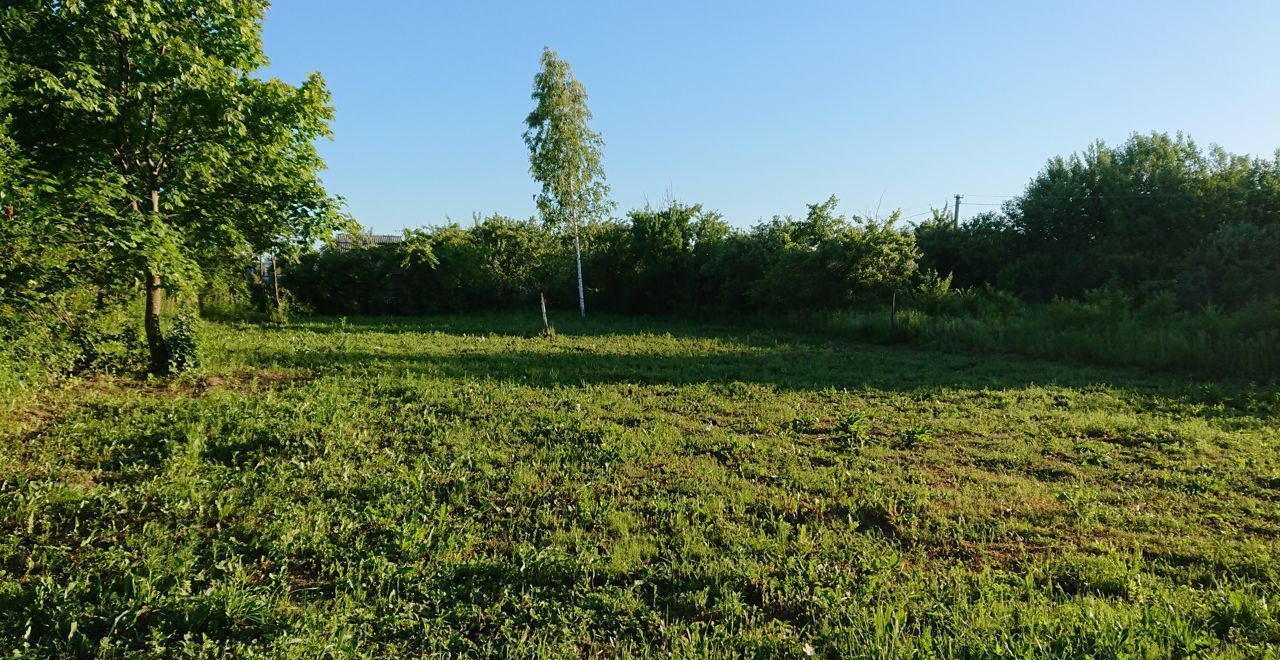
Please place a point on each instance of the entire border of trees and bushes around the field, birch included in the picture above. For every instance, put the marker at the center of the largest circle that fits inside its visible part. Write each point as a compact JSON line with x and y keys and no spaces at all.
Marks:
{"x":143,"y":155}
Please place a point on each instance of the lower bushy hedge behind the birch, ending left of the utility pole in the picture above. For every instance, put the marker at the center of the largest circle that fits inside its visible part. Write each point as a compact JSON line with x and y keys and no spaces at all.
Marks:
{"x":678,"y":259}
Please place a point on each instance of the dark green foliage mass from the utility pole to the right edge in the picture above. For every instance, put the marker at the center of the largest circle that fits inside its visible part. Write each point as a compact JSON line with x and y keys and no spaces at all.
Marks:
{"x":1158,"y":214}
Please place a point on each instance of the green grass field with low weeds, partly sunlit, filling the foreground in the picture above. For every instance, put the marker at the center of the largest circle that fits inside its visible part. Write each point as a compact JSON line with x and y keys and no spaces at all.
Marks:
{"x":461,"y":485}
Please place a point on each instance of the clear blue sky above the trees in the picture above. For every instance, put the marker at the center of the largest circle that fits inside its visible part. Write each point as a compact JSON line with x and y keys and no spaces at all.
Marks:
{"x":757,"y":109}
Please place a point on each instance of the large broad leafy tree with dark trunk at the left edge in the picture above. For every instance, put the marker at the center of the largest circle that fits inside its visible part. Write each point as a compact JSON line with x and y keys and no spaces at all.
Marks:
{"x":147,"y":118}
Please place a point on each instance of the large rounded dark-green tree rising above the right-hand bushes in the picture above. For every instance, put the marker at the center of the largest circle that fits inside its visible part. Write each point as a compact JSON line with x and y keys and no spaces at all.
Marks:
{"x":1126,"y":217}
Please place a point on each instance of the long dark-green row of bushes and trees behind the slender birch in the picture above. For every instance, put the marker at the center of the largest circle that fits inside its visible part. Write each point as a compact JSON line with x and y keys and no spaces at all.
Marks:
{"x":1156,"y":218}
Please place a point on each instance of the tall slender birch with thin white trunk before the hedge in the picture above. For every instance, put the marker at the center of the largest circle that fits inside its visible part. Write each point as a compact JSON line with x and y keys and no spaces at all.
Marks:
{"x":565,"y":155}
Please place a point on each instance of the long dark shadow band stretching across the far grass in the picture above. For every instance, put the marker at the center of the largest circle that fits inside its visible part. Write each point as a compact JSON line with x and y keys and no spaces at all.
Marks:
{"x":789,"y":366}
